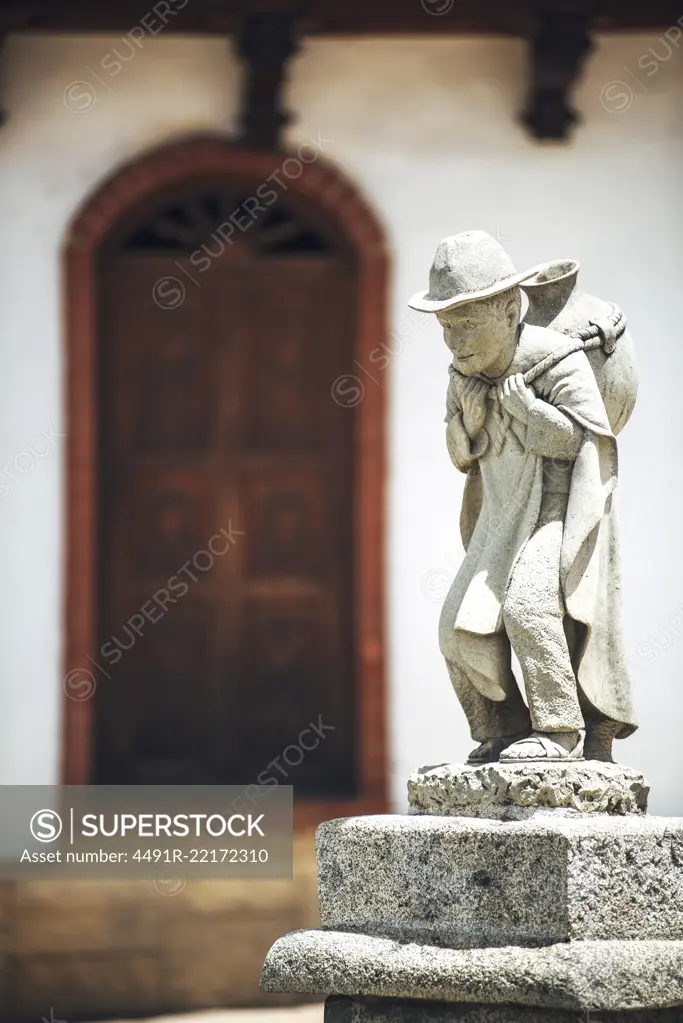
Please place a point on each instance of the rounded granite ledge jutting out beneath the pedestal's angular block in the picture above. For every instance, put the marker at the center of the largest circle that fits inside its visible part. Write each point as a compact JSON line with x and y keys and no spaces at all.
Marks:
{"x":583,"y":976}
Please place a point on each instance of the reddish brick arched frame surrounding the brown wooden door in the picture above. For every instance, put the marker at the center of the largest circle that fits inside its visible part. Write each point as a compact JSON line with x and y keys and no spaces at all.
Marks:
{"x":323,"y":186}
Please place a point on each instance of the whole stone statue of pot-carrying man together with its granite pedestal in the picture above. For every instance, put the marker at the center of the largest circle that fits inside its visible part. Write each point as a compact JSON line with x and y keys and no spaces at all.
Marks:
{"x":528,"y":884}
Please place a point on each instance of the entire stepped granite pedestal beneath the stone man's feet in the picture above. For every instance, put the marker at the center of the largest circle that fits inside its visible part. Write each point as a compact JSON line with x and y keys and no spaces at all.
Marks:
{"x":568,"y":914}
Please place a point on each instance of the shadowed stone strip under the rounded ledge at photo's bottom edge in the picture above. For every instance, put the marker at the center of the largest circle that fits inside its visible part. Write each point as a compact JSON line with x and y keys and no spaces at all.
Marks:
{"x":342,"y":1010}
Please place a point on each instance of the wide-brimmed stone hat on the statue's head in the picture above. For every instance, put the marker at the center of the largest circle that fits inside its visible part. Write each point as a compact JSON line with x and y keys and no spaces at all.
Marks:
{"x":468,"y":268}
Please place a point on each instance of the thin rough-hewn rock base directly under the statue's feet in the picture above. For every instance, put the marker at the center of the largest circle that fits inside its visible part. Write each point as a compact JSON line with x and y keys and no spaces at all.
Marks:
{"x":516,"y":791}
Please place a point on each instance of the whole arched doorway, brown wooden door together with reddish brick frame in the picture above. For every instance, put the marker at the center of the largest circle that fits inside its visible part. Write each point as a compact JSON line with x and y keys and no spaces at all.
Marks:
{"x":201,"y":369}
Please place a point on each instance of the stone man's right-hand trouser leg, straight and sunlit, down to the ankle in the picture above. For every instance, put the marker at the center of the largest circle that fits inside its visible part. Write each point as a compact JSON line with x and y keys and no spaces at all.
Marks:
{"x":533,"y":614}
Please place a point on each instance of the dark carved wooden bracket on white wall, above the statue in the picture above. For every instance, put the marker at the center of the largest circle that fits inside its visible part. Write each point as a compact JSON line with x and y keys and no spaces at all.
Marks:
{"x":559,"y":49}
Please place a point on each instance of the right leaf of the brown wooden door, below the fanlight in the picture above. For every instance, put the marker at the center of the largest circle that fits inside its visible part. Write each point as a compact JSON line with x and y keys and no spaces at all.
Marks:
{"x":297,"y":487}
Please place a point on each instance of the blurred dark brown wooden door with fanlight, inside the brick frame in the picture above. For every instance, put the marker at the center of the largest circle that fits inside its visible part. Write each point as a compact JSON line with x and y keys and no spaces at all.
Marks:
{"x":226,"y":551}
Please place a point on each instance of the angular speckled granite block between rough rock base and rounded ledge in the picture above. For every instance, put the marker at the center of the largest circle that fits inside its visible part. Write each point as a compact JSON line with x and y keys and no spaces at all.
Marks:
{"x":476,"y":882}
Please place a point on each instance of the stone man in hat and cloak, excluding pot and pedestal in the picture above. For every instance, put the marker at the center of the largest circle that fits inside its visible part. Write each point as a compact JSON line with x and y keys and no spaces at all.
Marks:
{"x":541,"y":569}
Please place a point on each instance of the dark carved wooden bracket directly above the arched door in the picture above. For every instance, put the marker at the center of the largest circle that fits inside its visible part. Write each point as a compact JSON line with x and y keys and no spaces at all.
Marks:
{"x":265,"y":43}
